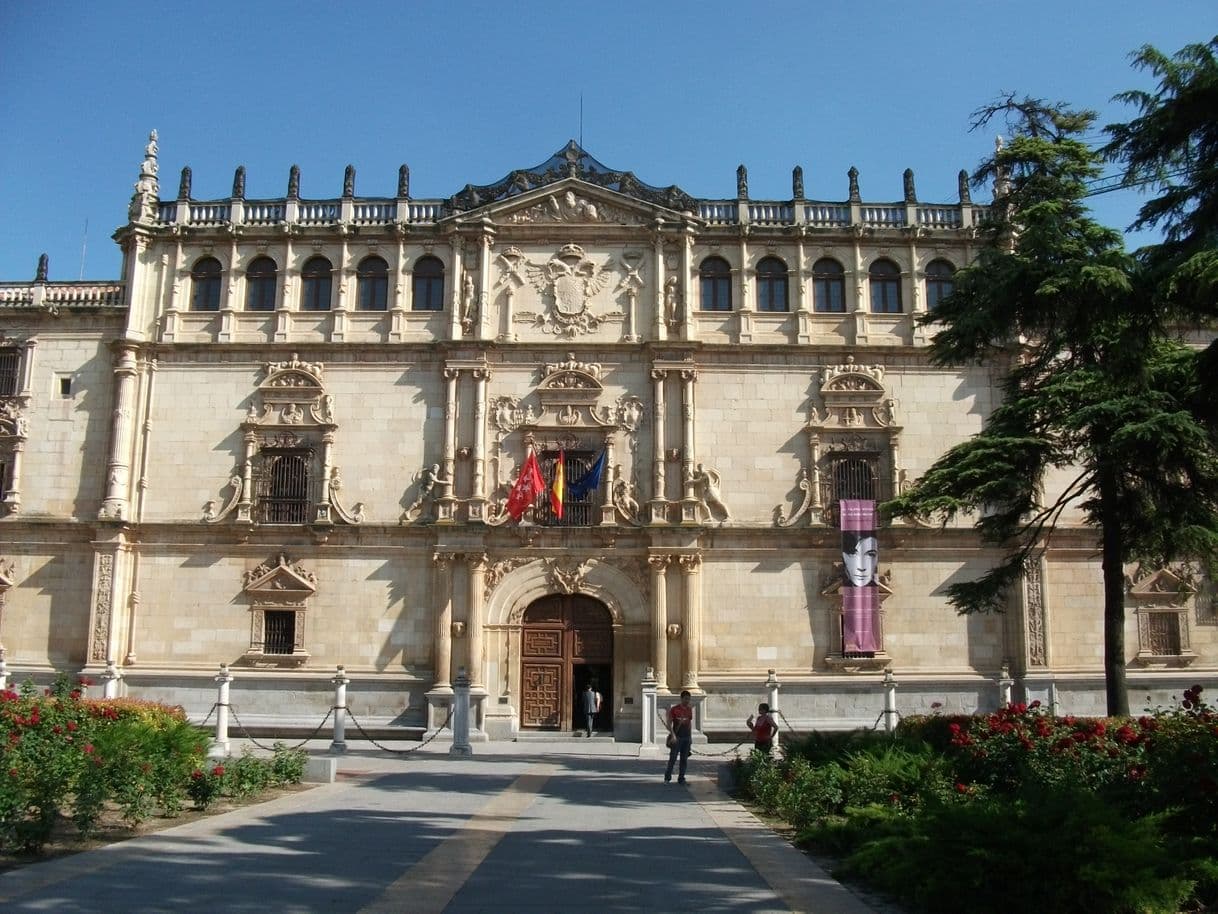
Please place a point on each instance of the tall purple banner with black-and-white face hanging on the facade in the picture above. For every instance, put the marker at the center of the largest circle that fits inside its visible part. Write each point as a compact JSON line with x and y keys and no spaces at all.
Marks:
{"x":861,"y":564}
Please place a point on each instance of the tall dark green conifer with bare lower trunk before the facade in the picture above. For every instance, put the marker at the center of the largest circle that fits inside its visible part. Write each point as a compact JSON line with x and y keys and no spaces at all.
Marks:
{"x":1096,"y":386}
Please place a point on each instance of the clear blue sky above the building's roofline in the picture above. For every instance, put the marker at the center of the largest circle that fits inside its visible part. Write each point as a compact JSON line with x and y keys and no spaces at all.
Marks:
{"x":466,"y":92}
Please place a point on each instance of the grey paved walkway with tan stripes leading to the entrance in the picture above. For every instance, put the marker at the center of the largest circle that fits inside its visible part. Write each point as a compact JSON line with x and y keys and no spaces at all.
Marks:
{"x":532,"y":827}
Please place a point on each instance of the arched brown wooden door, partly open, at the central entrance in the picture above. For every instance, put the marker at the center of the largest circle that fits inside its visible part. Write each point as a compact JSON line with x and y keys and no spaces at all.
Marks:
{"x":567,"y":642}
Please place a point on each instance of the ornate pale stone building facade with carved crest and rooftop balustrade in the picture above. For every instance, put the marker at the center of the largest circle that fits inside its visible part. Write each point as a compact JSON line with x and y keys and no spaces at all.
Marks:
{"x":286,"y":439}
